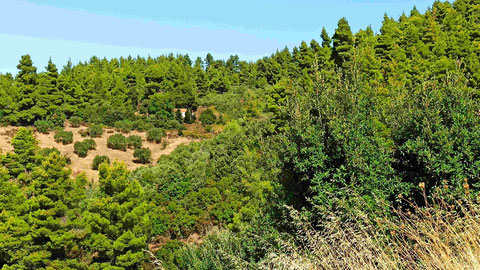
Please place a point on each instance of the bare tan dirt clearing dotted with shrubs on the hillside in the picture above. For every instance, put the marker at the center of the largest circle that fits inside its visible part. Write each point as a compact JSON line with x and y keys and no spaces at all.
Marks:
{"x":79,"y":164}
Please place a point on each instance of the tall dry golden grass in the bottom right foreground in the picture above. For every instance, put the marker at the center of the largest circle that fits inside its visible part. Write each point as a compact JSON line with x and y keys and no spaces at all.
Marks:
{"x":434,"y":237}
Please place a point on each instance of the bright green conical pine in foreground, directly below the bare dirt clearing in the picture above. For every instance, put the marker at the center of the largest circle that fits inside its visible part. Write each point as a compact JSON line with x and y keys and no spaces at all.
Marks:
{"x":117,"y":223}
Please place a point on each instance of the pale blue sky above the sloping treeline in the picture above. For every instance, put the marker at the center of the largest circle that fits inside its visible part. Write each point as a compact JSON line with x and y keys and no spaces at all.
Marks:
{"x":63,"y":29}
